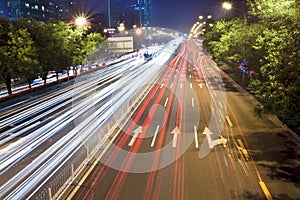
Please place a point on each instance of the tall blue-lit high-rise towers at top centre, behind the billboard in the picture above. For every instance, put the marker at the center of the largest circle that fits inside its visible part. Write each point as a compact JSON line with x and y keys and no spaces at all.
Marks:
{"x":130,"y":12}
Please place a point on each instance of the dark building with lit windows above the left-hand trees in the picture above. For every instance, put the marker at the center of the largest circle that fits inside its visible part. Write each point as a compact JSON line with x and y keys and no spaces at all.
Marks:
{"x":41,"y":10}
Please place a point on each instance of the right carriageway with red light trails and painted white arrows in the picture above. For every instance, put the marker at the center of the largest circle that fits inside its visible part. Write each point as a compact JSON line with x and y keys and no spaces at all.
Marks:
{"x":145,"y":160}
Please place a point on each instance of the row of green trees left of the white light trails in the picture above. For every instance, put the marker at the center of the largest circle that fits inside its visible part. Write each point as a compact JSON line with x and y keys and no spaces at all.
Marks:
{"x":29,"y":48}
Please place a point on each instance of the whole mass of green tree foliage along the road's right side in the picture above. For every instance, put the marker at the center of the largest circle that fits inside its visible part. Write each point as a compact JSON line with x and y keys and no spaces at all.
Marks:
{"x":271,"y":45}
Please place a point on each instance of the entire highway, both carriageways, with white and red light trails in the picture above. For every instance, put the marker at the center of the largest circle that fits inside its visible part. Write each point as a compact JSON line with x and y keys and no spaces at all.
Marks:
{"x":174,"y":127}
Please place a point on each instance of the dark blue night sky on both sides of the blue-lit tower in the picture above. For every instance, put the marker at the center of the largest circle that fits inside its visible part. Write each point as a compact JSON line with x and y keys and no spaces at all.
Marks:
{"x":179,"y":15}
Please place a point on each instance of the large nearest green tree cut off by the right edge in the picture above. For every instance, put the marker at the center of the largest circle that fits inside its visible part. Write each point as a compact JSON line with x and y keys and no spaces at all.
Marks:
{"x":279,"y":86}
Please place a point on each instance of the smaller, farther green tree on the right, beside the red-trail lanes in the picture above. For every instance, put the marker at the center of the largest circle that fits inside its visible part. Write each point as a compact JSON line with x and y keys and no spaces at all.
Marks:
{"x":230,"y":42}
